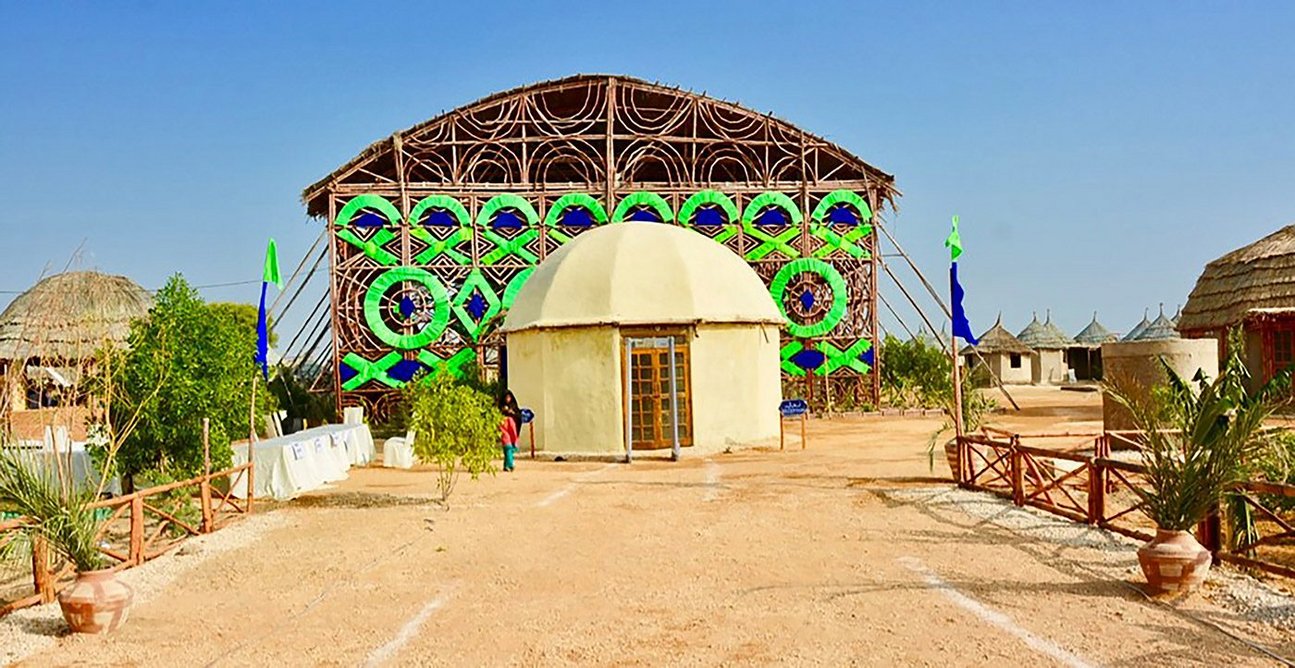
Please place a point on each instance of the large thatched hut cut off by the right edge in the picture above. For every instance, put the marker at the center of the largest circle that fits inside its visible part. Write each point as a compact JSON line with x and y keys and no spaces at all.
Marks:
{"x":1252,"y":288}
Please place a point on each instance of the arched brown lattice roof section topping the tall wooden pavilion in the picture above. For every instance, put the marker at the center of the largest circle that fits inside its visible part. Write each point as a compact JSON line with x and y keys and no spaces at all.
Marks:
{"x":662,"y":135}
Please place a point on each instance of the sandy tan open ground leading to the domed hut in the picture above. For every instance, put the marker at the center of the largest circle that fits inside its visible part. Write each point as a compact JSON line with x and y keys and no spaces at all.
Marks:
{"x":844,"y":553}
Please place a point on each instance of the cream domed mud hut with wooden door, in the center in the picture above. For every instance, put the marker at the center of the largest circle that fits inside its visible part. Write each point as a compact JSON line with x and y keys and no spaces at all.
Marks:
{"x":629,"y":327}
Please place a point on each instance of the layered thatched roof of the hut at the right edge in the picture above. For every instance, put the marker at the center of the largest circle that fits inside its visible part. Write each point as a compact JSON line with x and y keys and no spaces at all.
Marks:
{"x":1257,"y":276}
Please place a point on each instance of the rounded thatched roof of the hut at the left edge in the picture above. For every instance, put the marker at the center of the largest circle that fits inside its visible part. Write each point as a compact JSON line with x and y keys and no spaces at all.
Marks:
{"x":69,"y":317}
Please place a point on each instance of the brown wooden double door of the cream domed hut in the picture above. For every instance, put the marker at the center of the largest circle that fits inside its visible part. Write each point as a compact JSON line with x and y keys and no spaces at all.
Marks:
{"x":653,"y":415}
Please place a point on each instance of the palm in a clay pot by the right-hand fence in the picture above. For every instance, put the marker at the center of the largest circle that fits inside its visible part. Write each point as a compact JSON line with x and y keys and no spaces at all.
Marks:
{"x":1197,"y":438}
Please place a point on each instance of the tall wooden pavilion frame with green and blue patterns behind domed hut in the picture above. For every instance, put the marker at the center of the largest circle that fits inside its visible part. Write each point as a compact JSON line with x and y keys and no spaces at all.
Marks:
{"x":449,"y":218}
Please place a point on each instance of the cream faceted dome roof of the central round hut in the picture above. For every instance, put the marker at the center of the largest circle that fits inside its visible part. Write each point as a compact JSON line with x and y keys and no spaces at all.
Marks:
{"x":642,"y":274}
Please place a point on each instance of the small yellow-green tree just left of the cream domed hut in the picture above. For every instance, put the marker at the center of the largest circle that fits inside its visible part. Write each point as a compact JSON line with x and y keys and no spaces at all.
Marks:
{"x":455,"y":427}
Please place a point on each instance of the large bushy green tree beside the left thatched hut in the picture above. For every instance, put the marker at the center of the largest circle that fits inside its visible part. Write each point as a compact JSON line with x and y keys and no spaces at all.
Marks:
{"x":187,"y":361}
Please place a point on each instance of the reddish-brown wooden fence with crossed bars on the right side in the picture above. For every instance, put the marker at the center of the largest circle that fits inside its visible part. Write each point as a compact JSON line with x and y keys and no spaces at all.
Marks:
{"x":1075,"y":477}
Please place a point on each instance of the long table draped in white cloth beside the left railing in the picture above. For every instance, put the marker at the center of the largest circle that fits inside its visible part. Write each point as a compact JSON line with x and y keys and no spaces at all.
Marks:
{"x":306,"y":460}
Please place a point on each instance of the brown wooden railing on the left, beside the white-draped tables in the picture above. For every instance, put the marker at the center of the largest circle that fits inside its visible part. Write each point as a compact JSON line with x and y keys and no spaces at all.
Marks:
{"x":137,"y":529}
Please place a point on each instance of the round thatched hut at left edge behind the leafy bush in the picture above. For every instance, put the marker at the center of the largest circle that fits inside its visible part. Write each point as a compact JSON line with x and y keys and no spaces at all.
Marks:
{"x":50,"y":333}
